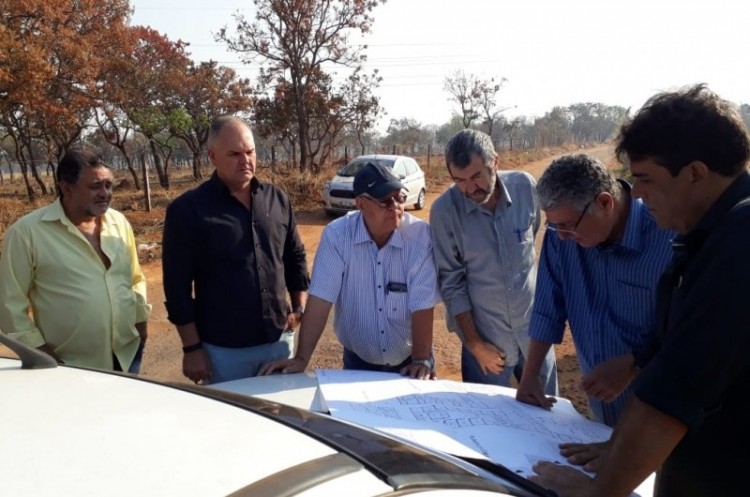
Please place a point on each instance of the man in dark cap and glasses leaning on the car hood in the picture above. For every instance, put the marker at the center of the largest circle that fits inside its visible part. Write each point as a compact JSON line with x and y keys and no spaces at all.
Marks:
{"x":375,"y":265}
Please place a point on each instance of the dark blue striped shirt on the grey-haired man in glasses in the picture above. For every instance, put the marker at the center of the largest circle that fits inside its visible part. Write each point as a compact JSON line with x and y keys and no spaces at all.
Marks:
{"x":606,"y":293}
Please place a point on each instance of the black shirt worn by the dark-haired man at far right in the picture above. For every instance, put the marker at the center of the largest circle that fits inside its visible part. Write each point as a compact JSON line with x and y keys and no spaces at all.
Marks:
{"x":697,"y":368}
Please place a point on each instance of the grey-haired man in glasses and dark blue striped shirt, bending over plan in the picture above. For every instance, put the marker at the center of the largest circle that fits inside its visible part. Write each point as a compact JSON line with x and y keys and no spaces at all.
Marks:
{"x":601,"y":259}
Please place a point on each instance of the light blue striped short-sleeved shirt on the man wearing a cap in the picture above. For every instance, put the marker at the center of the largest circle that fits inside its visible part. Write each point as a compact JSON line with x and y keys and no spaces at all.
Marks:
{"x":351,"y":273}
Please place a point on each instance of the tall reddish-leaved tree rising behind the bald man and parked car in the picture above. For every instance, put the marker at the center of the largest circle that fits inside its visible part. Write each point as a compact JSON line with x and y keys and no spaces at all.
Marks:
{"x":293,"y":40}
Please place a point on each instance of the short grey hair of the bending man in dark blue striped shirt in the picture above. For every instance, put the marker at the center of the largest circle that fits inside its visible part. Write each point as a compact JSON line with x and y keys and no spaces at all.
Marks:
{"x":575,"y":180}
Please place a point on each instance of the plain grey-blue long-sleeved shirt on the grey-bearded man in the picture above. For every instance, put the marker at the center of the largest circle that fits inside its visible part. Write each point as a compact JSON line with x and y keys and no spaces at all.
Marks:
{"x":486,"y":261}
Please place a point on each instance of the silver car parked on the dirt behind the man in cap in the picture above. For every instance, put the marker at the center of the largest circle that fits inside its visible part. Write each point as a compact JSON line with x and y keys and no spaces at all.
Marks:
{"x":338,"y":194}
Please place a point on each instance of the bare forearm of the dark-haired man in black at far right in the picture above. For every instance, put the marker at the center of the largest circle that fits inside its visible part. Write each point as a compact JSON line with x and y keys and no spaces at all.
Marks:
{"x":642,"y":440}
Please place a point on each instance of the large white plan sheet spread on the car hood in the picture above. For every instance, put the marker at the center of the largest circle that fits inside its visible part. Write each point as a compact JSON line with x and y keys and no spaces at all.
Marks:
{"x":464,"y":419}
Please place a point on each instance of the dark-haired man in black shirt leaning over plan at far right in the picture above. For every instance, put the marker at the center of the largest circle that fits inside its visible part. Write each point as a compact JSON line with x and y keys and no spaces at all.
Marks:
{"x":688,"y":152}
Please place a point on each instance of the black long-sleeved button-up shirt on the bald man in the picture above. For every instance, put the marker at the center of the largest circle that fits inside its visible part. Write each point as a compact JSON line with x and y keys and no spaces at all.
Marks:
{"x":228,"y":269}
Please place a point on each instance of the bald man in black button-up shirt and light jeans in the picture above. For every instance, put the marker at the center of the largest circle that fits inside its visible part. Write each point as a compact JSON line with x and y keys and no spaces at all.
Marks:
{"x":231,"y":252}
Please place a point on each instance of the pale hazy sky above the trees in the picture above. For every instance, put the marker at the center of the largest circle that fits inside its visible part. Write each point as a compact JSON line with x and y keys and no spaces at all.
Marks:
{"x":552,"y":52}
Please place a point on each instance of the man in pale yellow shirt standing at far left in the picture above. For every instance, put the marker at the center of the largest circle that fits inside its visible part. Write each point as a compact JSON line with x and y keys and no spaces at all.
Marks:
{"x":70,"y":281}
